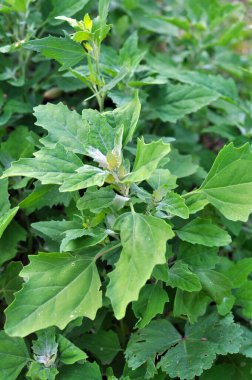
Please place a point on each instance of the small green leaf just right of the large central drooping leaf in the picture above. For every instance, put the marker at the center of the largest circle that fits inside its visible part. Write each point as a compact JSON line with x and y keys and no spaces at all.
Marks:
{"x":180,"y":276}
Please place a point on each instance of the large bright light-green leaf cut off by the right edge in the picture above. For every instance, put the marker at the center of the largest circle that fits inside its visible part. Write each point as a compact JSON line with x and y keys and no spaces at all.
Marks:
{"x":228,"y":185}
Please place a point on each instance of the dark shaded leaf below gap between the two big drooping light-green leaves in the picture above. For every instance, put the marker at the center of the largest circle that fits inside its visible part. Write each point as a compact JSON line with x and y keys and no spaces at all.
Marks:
{"x":104,"y":345}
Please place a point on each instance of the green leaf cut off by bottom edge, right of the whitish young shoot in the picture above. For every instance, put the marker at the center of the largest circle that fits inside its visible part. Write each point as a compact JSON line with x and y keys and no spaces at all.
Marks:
{"x":80,"y":371}
